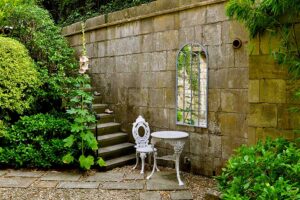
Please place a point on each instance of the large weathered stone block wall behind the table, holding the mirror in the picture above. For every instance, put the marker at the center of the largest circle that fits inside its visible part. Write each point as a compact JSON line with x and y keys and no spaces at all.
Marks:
{"x":133,"y":56}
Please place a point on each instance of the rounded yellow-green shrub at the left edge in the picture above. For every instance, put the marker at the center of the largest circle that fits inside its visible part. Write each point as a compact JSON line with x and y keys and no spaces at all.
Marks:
{"x":19,"y":78}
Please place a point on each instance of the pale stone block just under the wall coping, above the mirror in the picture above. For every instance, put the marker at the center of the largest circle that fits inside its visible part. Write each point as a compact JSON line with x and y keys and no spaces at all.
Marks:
{"x":192,"y":17}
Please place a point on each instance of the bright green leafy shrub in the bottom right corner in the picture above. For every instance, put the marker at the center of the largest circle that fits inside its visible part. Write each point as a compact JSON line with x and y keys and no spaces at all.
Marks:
{"x":269,"y":170}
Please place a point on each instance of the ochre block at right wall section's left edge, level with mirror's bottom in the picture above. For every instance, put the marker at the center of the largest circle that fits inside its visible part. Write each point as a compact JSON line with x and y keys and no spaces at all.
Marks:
{"x":262,"y":115}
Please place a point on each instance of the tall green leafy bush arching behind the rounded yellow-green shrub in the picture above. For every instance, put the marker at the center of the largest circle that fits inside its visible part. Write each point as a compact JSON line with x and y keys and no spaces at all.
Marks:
{"x":55,"y":60}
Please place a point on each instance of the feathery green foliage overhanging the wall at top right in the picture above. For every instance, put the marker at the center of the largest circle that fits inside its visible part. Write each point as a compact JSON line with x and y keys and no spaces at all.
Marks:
{"x":278,"y":18}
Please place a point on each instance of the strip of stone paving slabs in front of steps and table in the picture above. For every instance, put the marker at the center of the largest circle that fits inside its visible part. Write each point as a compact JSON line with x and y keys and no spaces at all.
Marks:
{"x":111,"y":181}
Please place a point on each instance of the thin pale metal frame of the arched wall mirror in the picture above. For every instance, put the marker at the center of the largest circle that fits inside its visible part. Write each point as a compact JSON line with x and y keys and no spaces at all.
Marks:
{"x":204,"y":49}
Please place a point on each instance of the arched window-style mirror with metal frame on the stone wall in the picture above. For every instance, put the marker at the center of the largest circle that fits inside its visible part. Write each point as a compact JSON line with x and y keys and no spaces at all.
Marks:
{"x":191,"y":85}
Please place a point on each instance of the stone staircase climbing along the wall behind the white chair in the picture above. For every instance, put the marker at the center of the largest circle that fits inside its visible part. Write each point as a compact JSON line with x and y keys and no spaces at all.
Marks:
{"x":114,"y":145}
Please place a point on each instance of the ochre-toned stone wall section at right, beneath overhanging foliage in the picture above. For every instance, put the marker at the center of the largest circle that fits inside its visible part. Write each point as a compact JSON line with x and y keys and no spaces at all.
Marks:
{"x":271,"y":94}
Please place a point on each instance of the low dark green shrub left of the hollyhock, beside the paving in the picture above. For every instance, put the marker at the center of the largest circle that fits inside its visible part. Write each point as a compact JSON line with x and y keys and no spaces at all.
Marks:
{"x":35,"y":141}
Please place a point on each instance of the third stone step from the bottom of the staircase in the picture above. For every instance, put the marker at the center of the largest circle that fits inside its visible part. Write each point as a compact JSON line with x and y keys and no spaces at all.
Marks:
{"x":112,"y":139}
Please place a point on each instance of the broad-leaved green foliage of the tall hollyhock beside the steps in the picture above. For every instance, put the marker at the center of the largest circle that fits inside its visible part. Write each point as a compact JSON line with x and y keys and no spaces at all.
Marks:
{"x":82,"y":119}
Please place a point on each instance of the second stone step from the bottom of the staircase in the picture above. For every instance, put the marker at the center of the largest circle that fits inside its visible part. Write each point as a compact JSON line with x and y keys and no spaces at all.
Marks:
{"x":115,"y":151}
